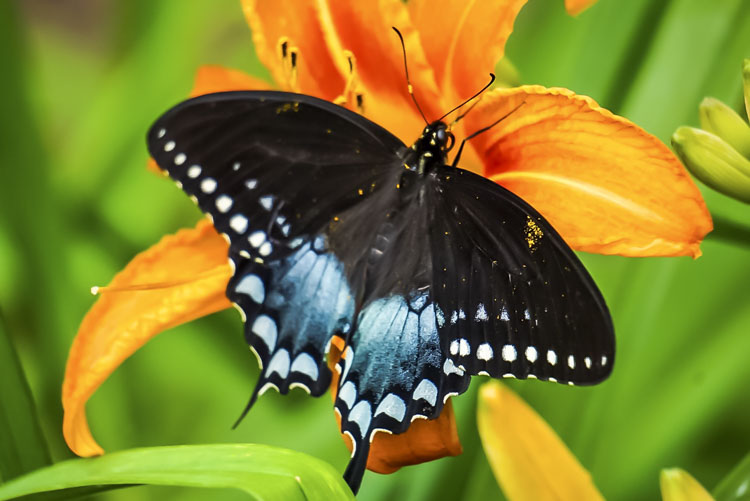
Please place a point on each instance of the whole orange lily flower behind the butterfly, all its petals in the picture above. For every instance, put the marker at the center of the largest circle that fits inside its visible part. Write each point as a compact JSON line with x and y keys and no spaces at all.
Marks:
{"x":605,"y":184}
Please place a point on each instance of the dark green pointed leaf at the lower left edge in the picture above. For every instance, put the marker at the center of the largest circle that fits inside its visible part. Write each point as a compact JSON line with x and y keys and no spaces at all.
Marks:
{"x":22,"y":444}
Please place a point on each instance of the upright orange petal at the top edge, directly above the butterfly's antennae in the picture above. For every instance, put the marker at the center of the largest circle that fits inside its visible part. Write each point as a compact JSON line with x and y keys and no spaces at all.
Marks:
{"x":464,"y":40}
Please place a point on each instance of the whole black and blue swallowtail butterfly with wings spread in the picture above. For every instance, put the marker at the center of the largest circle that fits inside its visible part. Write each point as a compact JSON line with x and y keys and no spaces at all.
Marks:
{"x":426,"y":273}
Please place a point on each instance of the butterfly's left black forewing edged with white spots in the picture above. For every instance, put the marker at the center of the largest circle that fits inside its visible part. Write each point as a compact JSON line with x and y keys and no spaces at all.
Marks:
{"x":270,"y":167}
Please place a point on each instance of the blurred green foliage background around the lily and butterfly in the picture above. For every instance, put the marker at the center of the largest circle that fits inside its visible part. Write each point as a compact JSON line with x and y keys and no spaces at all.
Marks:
{"x":81,"y":82}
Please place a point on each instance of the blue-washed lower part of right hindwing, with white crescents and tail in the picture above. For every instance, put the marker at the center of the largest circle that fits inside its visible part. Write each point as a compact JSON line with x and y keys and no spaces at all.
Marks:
{"x":392,"y":371}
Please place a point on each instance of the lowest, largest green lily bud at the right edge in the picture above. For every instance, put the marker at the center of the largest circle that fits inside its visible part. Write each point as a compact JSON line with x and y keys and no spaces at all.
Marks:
{"x":714,"y":162}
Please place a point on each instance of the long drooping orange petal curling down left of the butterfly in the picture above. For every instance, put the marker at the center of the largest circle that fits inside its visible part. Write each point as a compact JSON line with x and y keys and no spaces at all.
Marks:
{"x":193,"y":264}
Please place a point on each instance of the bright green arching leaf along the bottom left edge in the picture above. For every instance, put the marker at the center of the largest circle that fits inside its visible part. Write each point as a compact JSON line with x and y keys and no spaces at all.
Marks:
{"x":261,"y":471}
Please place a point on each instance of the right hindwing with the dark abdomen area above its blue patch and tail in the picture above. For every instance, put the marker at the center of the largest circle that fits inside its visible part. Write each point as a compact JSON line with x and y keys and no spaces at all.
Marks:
{"x":393,"y":368}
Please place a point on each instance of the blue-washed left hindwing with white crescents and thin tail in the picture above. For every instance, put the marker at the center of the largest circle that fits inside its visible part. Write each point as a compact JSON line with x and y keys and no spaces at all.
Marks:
{"x":292,"y":308}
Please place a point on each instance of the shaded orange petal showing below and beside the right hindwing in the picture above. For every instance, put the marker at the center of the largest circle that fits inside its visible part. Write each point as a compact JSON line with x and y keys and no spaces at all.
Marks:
{"x":424,"y":441}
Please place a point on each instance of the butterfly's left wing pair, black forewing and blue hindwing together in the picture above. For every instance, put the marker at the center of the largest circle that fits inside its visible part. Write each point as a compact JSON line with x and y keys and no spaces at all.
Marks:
{"x":273,"y":170}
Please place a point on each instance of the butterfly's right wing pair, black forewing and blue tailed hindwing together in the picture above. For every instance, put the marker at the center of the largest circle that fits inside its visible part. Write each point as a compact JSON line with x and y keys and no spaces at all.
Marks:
{"x":493,"y":289}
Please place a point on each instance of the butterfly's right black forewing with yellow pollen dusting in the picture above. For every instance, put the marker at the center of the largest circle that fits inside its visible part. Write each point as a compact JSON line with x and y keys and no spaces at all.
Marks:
{"x":513,"y":298}
